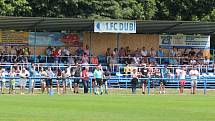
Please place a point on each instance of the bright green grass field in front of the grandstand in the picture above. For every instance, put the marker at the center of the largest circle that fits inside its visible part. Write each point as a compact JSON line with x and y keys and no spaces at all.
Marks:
{"x":107,"y":108}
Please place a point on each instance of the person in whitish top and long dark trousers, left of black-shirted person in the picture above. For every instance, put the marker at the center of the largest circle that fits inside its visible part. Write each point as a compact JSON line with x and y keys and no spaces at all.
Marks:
{"x":134,"y":80}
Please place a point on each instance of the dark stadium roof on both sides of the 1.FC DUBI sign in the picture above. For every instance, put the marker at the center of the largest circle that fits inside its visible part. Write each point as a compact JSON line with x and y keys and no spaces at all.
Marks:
{"x":75,"y":24}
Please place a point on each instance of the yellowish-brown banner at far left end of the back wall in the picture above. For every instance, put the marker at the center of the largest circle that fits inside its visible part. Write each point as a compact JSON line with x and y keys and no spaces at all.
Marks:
{"x":13,"y":38}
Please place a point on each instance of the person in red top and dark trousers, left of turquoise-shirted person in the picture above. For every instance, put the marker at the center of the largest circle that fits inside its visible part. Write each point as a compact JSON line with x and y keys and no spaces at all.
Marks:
{"x":85,"y":78}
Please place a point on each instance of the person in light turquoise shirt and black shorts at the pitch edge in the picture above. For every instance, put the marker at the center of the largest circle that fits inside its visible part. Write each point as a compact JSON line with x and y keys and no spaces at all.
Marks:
{"x":98,"y":76}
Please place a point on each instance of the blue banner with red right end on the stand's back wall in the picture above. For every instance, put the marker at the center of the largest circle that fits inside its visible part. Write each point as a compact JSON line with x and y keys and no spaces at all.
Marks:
{"x":55,"y":39}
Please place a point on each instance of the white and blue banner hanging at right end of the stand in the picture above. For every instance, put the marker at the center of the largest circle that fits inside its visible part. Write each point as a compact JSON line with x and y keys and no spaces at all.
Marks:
{"x":185,"y":41}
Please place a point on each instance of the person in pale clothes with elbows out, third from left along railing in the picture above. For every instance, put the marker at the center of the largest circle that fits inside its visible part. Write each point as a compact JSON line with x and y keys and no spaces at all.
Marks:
{"x":24,"y":76}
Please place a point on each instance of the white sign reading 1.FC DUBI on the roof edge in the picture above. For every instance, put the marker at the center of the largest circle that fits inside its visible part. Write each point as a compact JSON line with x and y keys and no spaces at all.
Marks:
{"x":115,"y":26}
